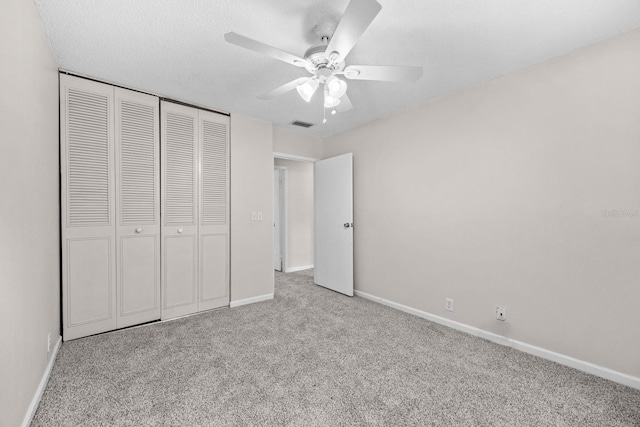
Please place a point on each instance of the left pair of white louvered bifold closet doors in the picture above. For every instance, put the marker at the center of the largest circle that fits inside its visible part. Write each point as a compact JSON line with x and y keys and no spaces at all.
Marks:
{"x":110,"y":202}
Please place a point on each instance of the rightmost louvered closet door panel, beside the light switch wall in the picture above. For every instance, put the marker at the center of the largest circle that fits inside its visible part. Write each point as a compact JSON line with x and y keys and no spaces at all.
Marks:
{"x":214,"y":211}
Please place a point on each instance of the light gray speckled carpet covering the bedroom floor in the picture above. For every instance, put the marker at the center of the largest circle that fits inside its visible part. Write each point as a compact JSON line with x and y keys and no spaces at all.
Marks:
{"x":312,"y":357}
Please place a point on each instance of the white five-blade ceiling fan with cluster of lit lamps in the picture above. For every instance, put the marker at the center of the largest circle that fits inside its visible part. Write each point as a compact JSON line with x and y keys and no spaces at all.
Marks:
{"x":325,"y":61}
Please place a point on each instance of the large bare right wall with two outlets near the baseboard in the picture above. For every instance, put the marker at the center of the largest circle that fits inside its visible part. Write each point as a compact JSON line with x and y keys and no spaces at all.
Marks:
{"x":495,"y":196}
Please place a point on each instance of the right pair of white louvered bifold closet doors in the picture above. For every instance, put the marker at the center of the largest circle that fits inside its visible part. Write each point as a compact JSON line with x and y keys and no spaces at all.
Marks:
{"x":195,"y":216}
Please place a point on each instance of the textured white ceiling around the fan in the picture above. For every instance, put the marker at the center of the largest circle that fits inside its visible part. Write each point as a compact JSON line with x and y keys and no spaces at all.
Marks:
{"x":176,"y":49}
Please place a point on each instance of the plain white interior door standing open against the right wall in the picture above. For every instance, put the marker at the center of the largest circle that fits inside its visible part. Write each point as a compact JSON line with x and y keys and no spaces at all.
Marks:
{"x":333,"y":223}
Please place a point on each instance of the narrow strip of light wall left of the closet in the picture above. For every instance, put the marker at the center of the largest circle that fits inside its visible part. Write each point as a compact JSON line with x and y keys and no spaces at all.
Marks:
{"x":29,"y":210}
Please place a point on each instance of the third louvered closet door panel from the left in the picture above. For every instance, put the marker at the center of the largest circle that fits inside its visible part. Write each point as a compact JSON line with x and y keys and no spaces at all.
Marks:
{"x":179,"y":133}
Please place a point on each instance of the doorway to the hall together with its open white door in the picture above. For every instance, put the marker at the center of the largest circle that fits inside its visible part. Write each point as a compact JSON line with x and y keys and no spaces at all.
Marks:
{"x":324,"y":208}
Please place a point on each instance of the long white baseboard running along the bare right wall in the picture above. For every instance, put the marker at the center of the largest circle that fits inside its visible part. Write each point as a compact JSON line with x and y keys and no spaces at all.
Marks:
{"x":562,"y":359}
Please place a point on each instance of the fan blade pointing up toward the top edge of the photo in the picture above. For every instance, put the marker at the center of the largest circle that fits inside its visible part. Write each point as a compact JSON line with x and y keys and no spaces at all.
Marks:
{"x":357,"y":17}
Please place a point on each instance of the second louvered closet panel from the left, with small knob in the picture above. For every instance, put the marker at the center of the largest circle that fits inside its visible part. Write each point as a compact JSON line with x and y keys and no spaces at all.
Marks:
{"x":137,"y":151}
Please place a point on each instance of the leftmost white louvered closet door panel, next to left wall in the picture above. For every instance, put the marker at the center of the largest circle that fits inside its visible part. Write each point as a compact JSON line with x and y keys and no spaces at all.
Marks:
{"x":87,"y":204}
